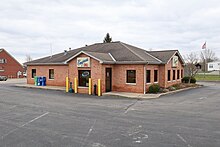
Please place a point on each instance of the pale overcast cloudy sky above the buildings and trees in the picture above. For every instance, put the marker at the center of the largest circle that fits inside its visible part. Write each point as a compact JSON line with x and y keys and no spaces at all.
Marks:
{"x":35,"y":27}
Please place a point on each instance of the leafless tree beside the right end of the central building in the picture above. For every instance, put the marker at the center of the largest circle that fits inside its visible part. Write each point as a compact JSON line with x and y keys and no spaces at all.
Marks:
{"x":191,"y":60}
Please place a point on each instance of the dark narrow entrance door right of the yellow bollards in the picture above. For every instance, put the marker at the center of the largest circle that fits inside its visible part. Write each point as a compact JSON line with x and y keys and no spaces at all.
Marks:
{"x":108,"y":79}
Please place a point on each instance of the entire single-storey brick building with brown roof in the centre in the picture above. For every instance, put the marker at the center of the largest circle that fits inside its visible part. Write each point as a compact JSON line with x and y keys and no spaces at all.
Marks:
{"x":120,"y":66}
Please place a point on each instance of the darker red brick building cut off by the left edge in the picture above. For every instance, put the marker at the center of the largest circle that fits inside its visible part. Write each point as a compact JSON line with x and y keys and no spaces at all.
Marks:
{"x":9,"y":66}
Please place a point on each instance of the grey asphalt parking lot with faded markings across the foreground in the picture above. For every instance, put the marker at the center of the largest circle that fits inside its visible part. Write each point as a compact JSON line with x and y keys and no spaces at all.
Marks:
{"x":46,"y":118}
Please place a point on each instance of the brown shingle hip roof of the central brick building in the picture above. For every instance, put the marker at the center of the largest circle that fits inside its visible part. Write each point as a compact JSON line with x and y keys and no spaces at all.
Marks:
{"x":114,"y":52}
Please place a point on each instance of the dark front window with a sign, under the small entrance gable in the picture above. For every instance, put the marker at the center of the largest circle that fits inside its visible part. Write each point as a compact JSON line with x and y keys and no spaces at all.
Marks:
{"x":84,"y":76}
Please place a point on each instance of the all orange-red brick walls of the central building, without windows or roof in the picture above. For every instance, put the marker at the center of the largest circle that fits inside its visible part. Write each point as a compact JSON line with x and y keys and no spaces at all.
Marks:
{"x":98,"y":72}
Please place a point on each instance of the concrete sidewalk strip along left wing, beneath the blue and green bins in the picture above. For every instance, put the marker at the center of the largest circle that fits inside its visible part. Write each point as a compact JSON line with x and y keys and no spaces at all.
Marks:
{"x":41,"y":87}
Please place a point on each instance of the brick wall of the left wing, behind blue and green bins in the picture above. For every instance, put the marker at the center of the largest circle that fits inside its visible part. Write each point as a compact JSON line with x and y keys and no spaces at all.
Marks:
{"x":60,"y":73}
